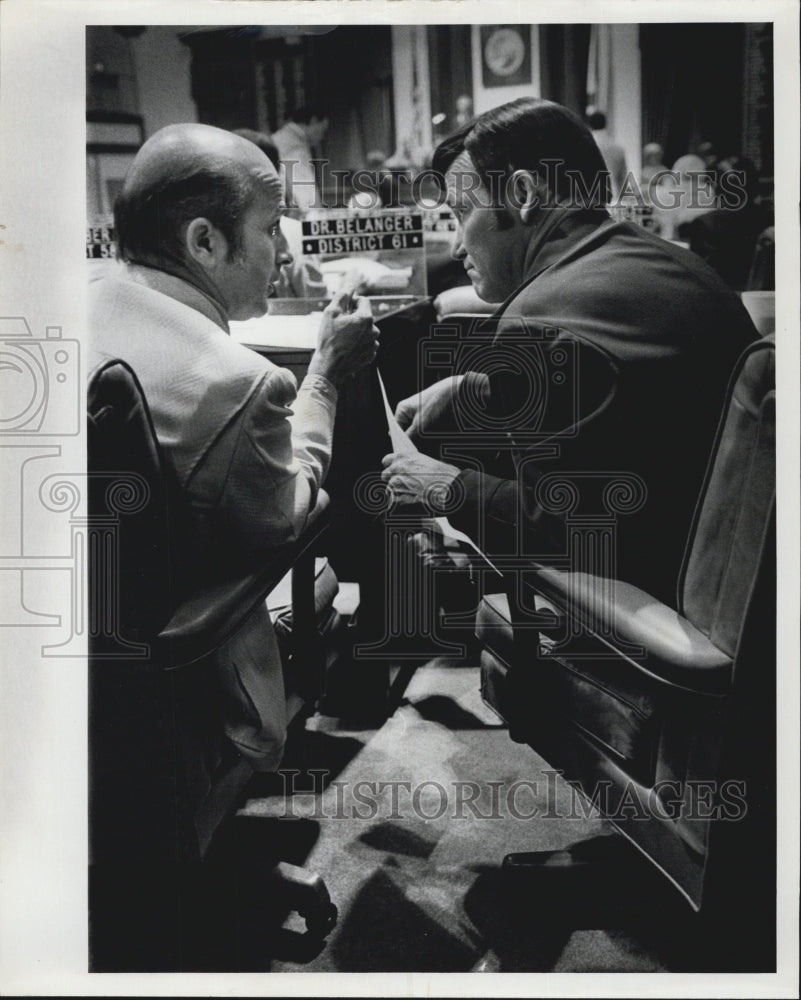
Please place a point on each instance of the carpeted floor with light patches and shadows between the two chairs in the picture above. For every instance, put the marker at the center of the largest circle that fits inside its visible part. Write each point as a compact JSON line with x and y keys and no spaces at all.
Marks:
{"x":409,"y":822}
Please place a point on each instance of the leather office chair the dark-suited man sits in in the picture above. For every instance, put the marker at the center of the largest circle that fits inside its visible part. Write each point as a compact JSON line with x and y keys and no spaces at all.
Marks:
{"x":665,"y":716}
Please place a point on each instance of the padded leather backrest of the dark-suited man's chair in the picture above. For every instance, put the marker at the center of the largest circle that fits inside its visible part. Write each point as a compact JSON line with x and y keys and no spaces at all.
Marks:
{"x":733,"y":517}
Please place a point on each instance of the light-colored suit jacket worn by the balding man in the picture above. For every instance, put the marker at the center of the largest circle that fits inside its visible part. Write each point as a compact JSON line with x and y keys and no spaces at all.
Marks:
{"x":247,"y":448}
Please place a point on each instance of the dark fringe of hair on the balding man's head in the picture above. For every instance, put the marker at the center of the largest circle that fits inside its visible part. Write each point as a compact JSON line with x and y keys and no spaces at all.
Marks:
{"x":150,"y":222}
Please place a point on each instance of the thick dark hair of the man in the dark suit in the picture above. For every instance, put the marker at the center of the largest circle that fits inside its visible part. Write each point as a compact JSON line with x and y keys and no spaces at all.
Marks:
{"x":536,"y":135}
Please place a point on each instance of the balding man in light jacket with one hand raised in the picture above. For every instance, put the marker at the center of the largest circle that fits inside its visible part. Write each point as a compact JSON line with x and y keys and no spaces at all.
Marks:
{"x":198,"y":230}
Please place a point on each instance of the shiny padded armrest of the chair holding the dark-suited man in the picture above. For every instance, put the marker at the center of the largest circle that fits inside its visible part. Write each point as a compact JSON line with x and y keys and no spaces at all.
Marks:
{"x":617,"y":613}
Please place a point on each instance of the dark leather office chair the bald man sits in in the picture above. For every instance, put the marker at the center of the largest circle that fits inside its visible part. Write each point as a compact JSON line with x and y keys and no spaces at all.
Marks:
{"x":163,"y":776}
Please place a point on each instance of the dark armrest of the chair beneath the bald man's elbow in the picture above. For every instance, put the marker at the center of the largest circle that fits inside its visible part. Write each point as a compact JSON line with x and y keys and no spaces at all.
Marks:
{"x":211,"y":616}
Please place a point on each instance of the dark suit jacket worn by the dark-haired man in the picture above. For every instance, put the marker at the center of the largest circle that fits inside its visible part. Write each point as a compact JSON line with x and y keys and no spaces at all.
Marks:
{"x":612,"y":357}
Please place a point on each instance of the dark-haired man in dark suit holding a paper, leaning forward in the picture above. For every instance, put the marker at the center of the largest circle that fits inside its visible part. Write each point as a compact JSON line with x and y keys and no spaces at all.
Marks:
{"x":612,"y":353}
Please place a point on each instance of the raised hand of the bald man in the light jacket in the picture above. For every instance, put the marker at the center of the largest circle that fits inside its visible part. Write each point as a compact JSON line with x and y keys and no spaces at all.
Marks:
{"x":348,"y":338}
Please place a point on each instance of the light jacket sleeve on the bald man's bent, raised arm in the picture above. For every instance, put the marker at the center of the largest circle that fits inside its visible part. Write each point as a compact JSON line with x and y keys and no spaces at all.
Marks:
{"x":281,"y":457}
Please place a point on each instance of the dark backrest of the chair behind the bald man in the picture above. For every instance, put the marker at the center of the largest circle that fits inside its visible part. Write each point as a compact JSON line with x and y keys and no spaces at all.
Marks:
{"x":138,"y":810}
